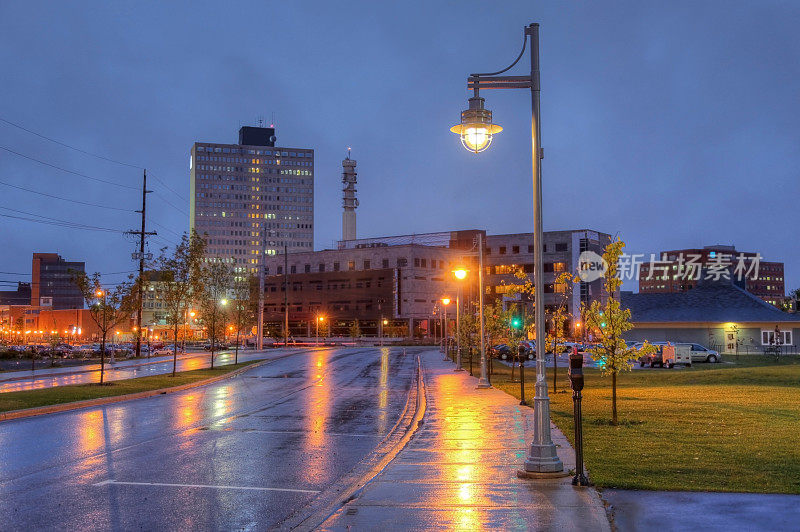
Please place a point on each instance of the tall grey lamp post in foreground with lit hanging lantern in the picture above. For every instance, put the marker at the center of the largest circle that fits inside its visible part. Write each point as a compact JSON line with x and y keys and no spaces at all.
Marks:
{"x":476,"y":131}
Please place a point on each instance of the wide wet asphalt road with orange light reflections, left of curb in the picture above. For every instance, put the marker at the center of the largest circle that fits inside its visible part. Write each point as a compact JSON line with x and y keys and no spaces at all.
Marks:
{"x":243,"y":453}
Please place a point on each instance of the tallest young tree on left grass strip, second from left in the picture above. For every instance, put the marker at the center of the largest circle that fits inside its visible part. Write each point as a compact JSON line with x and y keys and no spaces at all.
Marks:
{"x":179,"y":276}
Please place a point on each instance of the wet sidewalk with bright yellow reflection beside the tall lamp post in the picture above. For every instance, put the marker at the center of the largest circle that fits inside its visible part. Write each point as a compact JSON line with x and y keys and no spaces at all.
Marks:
{"x":459,"y":469}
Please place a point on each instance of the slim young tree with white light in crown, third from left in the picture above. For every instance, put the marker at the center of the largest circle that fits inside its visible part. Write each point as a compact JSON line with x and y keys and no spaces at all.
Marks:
{"x":216,"y":279}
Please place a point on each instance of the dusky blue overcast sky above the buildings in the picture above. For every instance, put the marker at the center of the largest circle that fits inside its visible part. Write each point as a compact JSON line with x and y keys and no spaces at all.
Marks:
{"x":670,"y":124}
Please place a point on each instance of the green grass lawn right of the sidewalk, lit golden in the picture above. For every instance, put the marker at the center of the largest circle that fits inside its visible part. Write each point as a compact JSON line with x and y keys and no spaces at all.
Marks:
{"x":716,"y":427}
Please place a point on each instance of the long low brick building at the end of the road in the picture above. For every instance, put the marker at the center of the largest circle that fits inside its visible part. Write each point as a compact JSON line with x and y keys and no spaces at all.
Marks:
{"x":403,"y":278}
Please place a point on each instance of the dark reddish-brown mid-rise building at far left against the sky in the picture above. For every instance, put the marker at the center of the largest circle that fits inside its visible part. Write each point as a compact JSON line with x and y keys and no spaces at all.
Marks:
{"x":52,"y":282}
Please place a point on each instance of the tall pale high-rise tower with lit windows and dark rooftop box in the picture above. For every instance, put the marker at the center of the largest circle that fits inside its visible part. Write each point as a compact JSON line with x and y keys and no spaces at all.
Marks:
{"x":252,"y":198}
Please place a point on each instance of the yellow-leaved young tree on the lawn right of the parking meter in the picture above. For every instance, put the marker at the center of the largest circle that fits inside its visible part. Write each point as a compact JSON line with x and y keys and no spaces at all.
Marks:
{"x":608,"y":321}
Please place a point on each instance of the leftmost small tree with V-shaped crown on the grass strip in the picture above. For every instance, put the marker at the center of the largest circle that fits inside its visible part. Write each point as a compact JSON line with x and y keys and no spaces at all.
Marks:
{"x":108,"y":307}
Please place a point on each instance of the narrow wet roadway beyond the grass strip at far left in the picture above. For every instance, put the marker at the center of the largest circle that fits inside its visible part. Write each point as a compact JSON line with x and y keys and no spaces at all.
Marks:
{"x":128,"y":369}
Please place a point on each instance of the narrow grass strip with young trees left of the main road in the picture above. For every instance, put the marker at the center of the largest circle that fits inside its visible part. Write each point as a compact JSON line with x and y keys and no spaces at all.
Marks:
{"x":79,"y":392}
